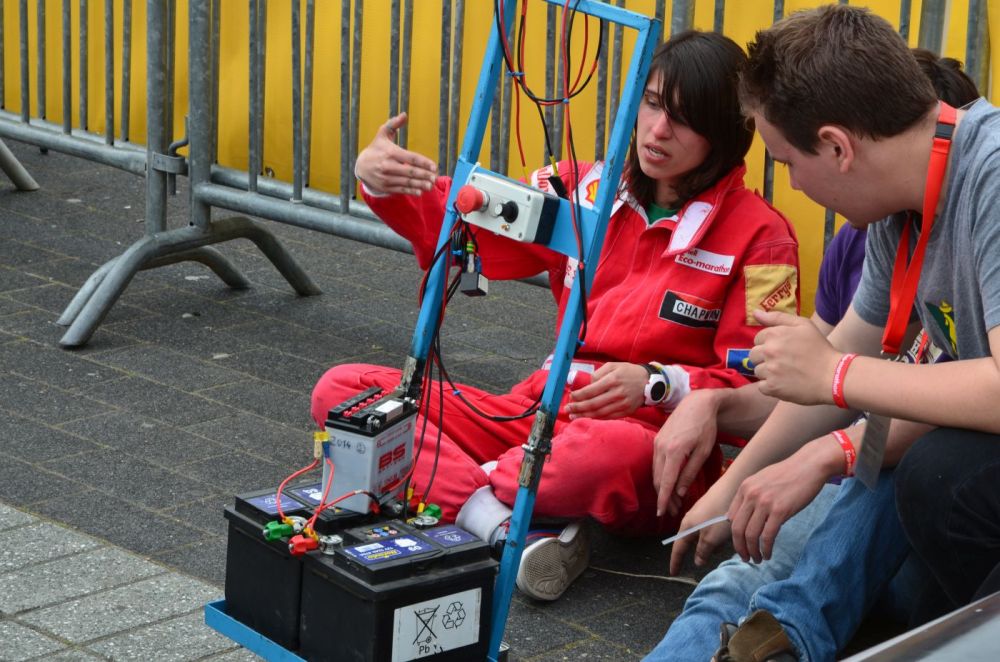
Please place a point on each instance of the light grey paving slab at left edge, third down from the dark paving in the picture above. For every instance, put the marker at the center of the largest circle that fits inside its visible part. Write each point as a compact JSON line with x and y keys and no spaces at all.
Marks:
{"x":71,"y":577}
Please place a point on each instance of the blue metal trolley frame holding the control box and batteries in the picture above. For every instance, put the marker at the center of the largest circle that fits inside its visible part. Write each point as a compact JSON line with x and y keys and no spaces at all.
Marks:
{"x":593,"y":223}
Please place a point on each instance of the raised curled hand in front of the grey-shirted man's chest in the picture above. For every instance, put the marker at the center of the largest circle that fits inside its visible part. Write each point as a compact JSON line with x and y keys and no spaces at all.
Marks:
{"x":792,"y":359}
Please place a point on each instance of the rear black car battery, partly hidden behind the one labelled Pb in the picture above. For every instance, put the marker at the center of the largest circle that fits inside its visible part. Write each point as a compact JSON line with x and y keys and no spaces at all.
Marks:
{"x":263,"y":579}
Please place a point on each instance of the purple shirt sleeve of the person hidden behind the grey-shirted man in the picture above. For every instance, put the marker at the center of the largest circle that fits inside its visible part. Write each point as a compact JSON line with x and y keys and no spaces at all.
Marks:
{"x":839,"y":274}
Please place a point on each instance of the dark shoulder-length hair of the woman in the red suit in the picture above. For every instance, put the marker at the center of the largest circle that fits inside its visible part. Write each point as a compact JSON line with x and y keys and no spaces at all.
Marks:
{"x":698,"y":87}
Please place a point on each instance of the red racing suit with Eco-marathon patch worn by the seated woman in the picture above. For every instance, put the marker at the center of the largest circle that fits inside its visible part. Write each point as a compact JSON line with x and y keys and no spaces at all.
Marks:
{"x":679,"y":292}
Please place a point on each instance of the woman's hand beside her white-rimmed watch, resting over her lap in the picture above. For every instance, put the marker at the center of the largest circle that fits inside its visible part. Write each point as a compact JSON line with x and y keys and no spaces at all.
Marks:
{"x":616,"y":390}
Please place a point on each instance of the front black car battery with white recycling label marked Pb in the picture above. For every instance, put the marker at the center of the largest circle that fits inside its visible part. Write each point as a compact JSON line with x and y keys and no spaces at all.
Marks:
{"x":398,"y":594}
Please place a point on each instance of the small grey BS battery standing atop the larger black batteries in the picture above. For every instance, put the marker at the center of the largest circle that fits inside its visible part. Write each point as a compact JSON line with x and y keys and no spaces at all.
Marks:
{"x":370,"y":445}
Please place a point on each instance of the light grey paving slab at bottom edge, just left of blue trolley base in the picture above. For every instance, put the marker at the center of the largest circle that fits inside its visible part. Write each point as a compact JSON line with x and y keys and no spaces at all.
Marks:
{"x":183,"y":638}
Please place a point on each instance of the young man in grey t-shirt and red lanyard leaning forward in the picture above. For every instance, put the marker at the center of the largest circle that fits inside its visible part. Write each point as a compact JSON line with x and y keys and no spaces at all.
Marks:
{"x":839,"y":100}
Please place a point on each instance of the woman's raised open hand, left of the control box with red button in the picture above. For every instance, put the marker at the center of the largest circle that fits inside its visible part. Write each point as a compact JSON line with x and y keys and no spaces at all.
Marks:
{"x":385,"y":167}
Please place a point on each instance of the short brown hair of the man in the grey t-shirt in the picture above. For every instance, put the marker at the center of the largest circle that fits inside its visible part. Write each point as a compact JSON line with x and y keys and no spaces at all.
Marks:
{"x":837,"y":64}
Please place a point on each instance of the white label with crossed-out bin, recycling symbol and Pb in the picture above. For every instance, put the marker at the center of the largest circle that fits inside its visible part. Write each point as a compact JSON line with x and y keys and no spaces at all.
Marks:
{"x":435,"y":626}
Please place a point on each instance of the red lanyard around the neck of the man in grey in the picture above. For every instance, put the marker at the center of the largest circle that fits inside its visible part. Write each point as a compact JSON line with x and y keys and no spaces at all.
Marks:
{"x":906,"y":276}
